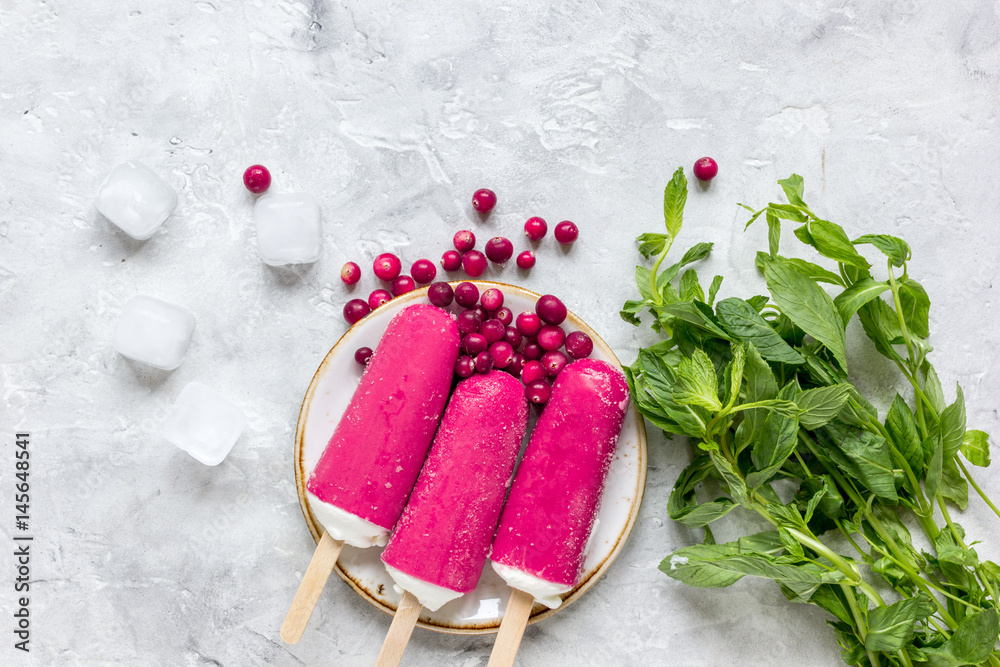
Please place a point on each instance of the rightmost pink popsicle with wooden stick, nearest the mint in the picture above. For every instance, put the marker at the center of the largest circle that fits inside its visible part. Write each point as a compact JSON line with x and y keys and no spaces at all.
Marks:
{"x":541,"y":541}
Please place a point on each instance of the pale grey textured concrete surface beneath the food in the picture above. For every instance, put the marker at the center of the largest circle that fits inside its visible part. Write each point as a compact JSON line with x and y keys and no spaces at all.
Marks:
{"x":392,"y":114}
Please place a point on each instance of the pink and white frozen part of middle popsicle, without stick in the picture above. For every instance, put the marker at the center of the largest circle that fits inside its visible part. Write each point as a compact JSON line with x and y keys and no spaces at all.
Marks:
{"x":443,"y":537}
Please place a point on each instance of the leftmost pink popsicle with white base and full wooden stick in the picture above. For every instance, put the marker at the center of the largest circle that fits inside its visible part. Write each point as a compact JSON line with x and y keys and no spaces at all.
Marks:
{"x":360,"y":485}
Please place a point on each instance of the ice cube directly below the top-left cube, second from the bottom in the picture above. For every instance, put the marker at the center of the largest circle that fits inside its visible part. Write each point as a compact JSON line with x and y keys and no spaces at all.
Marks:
{"x":154,"y":331}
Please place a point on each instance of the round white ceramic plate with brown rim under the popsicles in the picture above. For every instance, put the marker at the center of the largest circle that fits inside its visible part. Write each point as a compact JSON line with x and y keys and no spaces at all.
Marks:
{"x":480,"y":611}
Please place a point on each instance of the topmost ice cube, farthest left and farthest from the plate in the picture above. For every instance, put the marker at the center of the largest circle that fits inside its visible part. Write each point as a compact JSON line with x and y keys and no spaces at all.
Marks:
{"x":136,"y":199}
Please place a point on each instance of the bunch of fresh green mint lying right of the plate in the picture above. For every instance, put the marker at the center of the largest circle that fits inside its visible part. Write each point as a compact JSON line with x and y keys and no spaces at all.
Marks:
{"x":760,"y":385}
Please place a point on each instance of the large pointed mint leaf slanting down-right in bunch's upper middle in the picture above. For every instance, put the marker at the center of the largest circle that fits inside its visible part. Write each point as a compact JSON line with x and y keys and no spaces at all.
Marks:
{"x":808,"y":306}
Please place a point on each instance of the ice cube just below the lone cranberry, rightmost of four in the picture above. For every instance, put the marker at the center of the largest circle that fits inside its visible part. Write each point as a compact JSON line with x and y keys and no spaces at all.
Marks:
{"x":289,"y":230}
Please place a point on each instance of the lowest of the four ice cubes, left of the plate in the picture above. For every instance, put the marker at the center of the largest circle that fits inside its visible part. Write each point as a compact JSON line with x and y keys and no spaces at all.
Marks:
{"x":204,"y":424}
